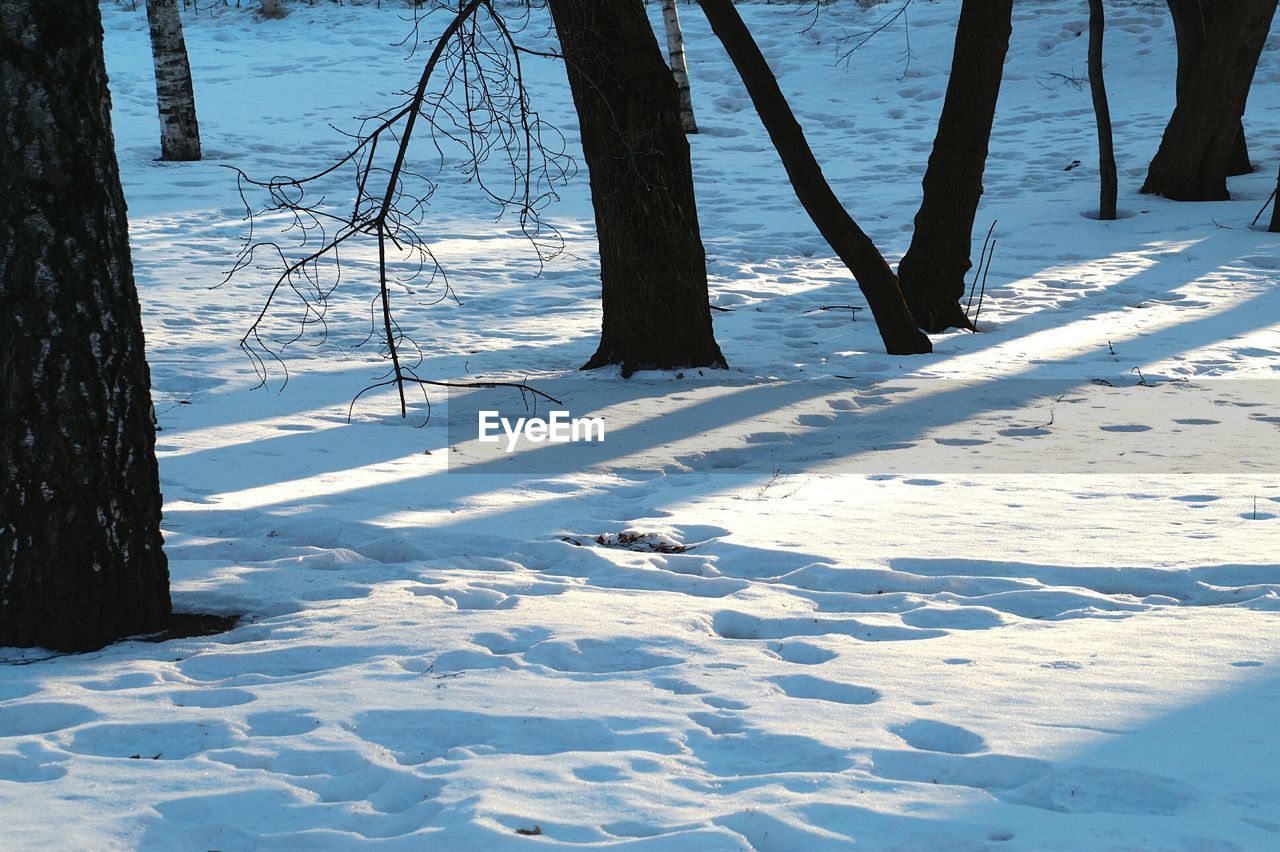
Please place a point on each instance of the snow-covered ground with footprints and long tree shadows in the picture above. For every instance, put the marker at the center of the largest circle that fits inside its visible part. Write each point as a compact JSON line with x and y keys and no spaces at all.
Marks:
{"x":808,"y":645}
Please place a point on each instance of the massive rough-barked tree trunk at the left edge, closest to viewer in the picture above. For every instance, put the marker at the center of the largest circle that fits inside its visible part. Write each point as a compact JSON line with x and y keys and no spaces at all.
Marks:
{"x":81,"y":560}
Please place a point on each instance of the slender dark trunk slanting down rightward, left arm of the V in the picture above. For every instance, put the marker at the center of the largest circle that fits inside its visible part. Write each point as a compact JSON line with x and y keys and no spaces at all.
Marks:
{"x":876,"y":280}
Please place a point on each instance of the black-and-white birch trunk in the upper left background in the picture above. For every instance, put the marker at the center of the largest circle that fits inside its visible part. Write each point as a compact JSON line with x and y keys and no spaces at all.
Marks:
{"x":180,"y":132}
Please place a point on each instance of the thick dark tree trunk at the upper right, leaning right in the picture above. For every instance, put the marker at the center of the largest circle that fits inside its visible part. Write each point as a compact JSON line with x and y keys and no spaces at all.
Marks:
{"x":1196,"y":153}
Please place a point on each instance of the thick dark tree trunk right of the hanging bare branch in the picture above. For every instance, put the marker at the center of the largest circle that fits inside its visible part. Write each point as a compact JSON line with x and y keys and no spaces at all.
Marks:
{"x":653,"y":269}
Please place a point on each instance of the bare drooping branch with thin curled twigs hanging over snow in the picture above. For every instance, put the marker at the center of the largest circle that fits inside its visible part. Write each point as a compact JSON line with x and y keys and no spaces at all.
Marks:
{"x":473,"y":103}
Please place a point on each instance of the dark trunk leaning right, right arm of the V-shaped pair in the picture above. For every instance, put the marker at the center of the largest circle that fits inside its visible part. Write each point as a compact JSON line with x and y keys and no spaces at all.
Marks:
{"x":932,"y":272}
